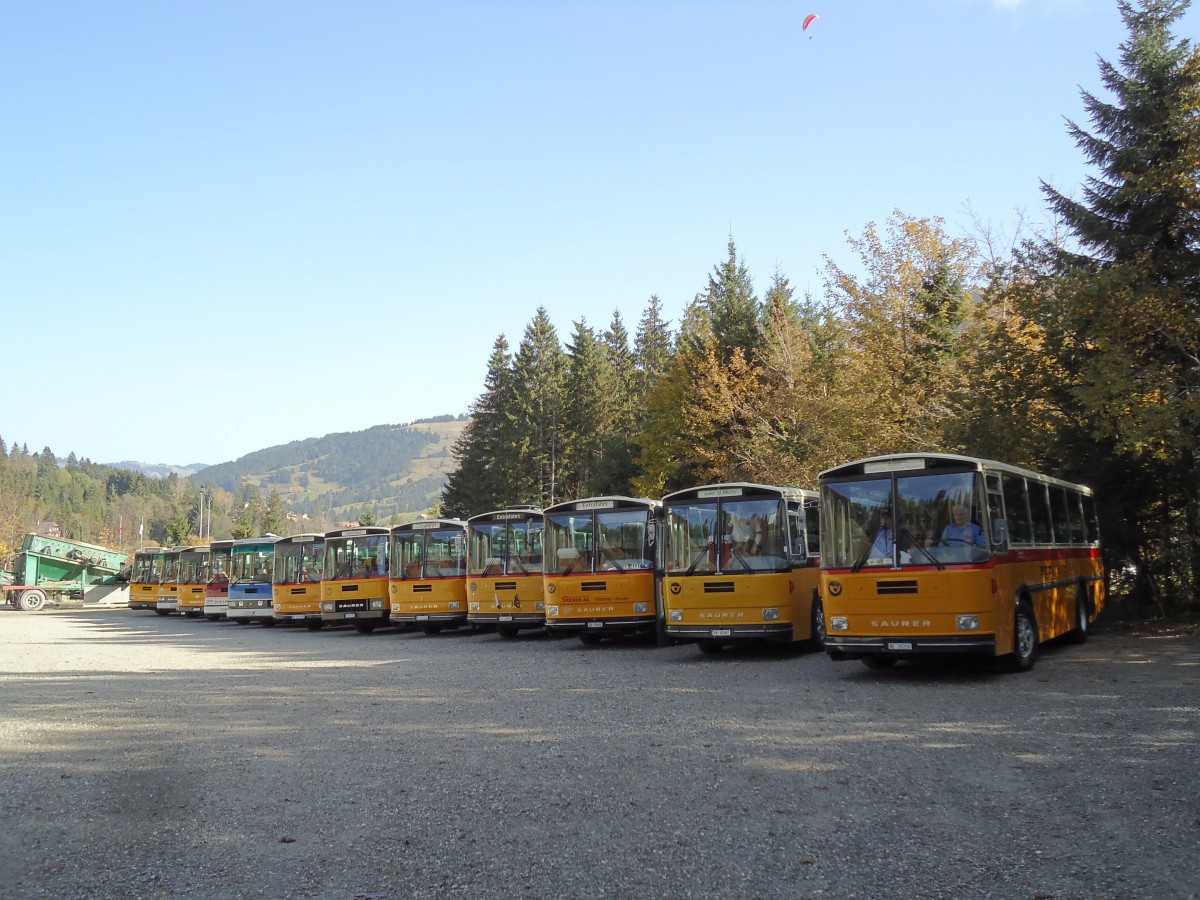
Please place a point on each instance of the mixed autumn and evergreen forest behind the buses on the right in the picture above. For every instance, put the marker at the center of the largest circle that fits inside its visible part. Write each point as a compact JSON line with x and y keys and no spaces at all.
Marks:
{"x":1073,"y":350}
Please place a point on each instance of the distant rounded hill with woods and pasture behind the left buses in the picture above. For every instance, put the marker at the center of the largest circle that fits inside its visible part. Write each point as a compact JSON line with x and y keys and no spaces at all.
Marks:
{"x":391,"y":469}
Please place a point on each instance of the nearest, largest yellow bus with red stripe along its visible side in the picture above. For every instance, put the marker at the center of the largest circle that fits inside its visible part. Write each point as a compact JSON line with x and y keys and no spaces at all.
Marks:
{"x":938,"y":554}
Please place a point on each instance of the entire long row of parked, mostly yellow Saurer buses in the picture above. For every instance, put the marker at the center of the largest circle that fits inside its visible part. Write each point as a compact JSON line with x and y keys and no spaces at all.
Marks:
{"x":892,"y":557}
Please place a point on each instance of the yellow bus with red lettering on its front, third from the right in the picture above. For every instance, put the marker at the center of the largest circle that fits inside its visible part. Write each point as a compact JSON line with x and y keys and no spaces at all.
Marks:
{"x":601,"y":567}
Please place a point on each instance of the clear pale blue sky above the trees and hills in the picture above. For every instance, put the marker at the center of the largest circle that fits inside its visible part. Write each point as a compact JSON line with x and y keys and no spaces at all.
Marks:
{"x":235,"y":224}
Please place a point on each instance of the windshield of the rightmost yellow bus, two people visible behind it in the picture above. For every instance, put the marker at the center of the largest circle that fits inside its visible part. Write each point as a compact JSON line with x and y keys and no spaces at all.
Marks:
{"x":929,"y":519}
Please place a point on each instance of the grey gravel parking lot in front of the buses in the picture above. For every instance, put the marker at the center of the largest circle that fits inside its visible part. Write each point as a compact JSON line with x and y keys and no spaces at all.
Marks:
{"x":161,"y":758}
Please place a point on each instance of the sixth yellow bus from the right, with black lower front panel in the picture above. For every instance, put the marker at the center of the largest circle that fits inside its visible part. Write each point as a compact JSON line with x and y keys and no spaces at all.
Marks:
{"x":355,"y":581}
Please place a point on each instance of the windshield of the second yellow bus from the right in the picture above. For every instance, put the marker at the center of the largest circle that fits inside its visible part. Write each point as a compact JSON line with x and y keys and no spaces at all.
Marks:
{"x":752,"y":537}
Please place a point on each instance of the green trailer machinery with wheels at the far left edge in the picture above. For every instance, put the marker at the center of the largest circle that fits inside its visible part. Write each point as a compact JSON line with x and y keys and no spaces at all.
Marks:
{"x":58,"y":572}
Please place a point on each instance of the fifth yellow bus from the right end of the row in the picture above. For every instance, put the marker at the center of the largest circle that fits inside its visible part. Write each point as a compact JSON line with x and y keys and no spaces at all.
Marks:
{"x":429,"y":574}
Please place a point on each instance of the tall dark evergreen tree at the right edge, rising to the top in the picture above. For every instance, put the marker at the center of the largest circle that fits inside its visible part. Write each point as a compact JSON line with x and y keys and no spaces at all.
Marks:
{"x":1126,"y":311}
